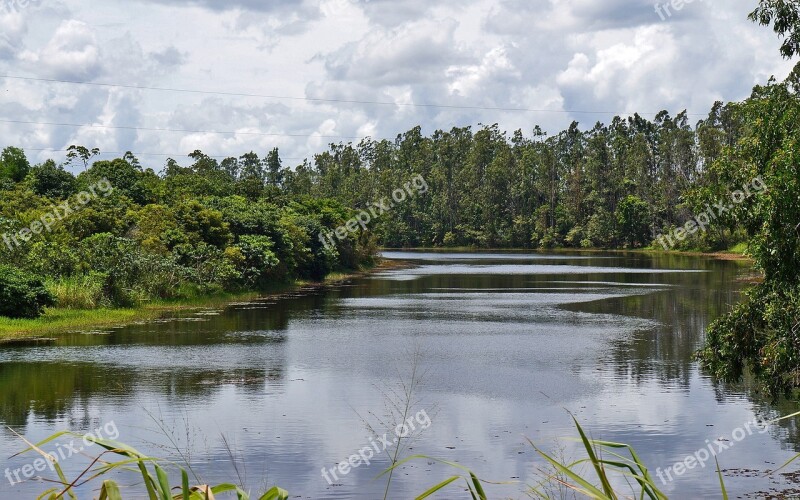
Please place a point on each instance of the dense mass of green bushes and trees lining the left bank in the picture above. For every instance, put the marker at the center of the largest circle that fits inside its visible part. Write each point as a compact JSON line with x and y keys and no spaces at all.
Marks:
{"x":201,"y":229}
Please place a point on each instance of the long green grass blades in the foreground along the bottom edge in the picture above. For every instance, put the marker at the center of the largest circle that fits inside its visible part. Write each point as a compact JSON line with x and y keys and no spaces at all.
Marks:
{"x":596,"y":476}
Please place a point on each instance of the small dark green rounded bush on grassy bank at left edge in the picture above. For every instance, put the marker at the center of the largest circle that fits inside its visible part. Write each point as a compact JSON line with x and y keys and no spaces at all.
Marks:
{"x":22,"y":295}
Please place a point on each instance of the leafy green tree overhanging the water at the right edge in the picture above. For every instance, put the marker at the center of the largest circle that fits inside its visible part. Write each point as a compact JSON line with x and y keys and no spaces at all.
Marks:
{"x":761,"y":334}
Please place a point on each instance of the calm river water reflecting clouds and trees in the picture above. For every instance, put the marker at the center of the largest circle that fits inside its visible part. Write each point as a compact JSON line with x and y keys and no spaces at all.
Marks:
{"x":509,"y":343}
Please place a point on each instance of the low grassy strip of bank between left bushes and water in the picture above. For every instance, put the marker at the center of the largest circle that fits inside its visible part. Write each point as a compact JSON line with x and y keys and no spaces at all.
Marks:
{"x":58,"y":321}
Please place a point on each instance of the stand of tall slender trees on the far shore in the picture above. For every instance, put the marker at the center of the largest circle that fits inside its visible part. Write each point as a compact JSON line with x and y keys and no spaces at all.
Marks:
{"x":612,"y":186}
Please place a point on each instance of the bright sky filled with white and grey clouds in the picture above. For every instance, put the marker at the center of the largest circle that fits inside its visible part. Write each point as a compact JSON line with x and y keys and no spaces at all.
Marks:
{"x":163,"y":78}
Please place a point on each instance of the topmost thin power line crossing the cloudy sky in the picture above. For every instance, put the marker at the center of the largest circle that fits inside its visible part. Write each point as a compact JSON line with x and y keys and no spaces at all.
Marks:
{"x":317,"y":99}
